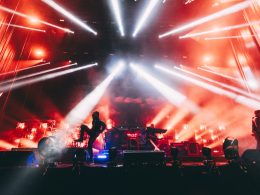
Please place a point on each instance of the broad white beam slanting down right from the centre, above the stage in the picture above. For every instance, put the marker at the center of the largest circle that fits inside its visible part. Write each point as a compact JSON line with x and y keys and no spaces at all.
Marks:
{"x":173,"y":96}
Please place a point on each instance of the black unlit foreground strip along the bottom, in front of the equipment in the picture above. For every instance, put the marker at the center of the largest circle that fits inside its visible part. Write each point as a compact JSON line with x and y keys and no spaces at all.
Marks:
{"x":100,"y":179}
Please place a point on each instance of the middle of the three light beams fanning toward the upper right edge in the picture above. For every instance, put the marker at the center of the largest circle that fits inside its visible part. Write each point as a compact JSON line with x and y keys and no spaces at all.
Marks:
{"x":227,"y":28}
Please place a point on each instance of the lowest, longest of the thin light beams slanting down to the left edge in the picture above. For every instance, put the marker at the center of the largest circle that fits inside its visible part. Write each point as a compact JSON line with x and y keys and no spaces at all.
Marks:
{"x":42,"y":78}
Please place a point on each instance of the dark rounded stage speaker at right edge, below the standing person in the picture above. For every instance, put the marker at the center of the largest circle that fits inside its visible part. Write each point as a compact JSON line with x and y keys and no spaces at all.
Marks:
{"x":251,"y":157}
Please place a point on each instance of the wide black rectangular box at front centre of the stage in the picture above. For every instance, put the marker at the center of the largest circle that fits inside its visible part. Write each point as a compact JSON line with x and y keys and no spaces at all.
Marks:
{"x":141,"y":158}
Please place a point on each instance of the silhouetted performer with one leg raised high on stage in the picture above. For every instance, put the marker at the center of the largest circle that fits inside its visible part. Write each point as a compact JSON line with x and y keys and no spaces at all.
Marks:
{"x":98,"y":127}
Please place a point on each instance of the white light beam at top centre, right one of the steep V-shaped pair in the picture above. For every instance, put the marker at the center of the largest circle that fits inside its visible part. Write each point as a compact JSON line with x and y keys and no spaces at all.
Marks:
{"x":144,"y":17}
